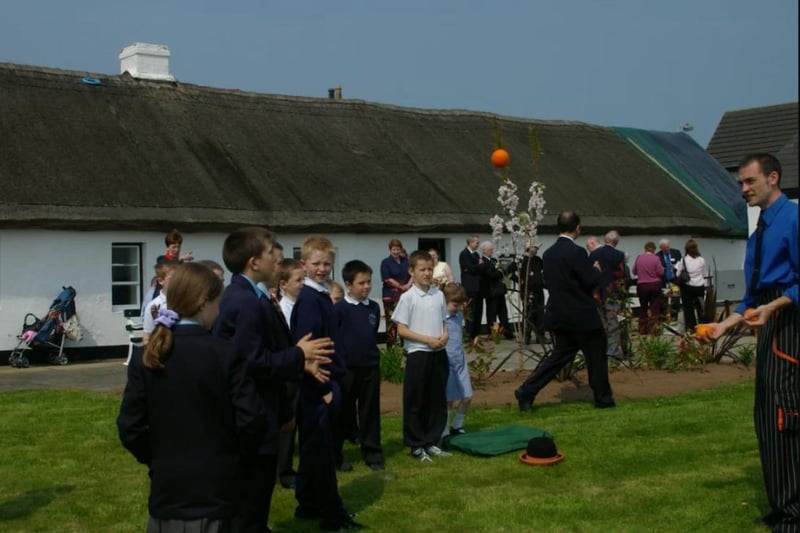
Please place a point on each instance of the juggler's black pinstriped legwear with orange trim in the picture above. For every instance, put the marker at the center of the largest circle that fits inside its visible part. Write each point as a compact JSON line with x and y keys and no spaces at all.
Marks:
{"x":777,"y":408}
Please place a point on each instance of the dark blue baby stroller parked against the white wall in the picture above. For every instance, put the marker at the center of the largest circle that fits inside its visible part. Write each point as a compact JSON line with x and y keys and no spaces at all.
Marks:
{"x":60,"y":323}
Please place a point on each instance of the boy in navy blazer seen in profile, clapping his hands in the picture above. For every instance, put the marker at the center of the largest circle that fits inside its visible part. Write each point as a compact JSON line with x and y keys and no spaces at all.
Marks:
{"x":250,"y":319}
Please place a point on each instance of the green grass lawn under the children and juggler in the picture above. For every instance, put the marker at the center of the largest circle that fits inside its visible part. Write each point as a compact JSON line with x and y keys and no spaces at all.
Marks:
{"x":684,"y":463}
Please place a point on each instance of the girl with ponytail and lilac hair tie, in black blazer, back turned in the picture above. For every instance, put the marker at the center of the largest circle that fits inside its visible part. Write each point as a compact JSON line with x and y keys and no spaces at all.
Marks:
{"x":189,"y":412}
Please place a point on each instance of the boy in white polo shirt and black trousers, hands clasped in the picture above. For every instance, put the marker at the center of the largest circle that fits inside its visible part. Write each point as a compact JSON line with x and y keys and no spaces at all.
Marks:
{"x":420,"y":317}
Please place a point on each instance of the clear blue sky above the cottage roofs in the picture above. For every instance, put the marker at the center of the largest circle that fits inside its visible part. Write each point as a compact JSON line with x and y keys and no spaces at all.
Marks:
{"x":639,"y":63}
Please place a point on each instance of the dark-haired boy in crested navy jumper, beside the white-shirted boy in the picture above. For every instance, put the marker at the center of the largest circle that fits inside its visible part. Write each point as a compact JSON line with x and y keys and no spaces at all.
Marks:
{"x":357,"y":319}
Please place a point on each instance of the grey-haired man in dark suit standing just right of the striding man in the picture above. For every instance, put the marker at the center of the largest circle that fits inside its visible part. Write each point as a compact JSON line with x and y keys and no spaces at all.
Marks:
{"x":611,"y":290}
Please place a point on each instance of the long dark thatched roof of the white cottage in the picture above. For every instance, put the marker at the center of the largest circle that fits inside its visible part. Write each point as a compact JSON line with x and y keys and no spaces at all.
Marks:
{"x":130,"y":153}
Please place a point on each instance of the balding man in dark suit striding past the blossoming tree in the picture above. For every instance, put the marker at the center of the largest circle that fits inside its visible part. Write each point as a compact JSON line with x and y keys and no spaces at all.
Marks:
{"x":572,"y":316}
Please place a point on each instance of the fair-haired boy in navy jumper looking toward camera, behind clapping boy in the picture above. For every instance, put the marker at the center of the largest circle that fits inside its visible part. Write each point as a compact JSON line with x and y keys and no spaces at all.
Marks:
{"x":316,"y":485}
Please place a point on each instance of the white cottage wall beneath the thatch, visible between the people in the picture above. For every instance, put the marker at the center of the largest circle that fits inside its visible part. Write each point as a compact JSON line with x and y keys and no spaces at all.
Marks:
{"x":35,"y":264}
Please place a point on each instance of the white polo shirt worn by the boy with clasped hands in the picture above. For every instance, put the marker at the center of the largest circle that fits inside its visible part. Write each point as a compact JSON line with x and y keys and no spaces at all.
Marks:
{"x":423,"y":312}
